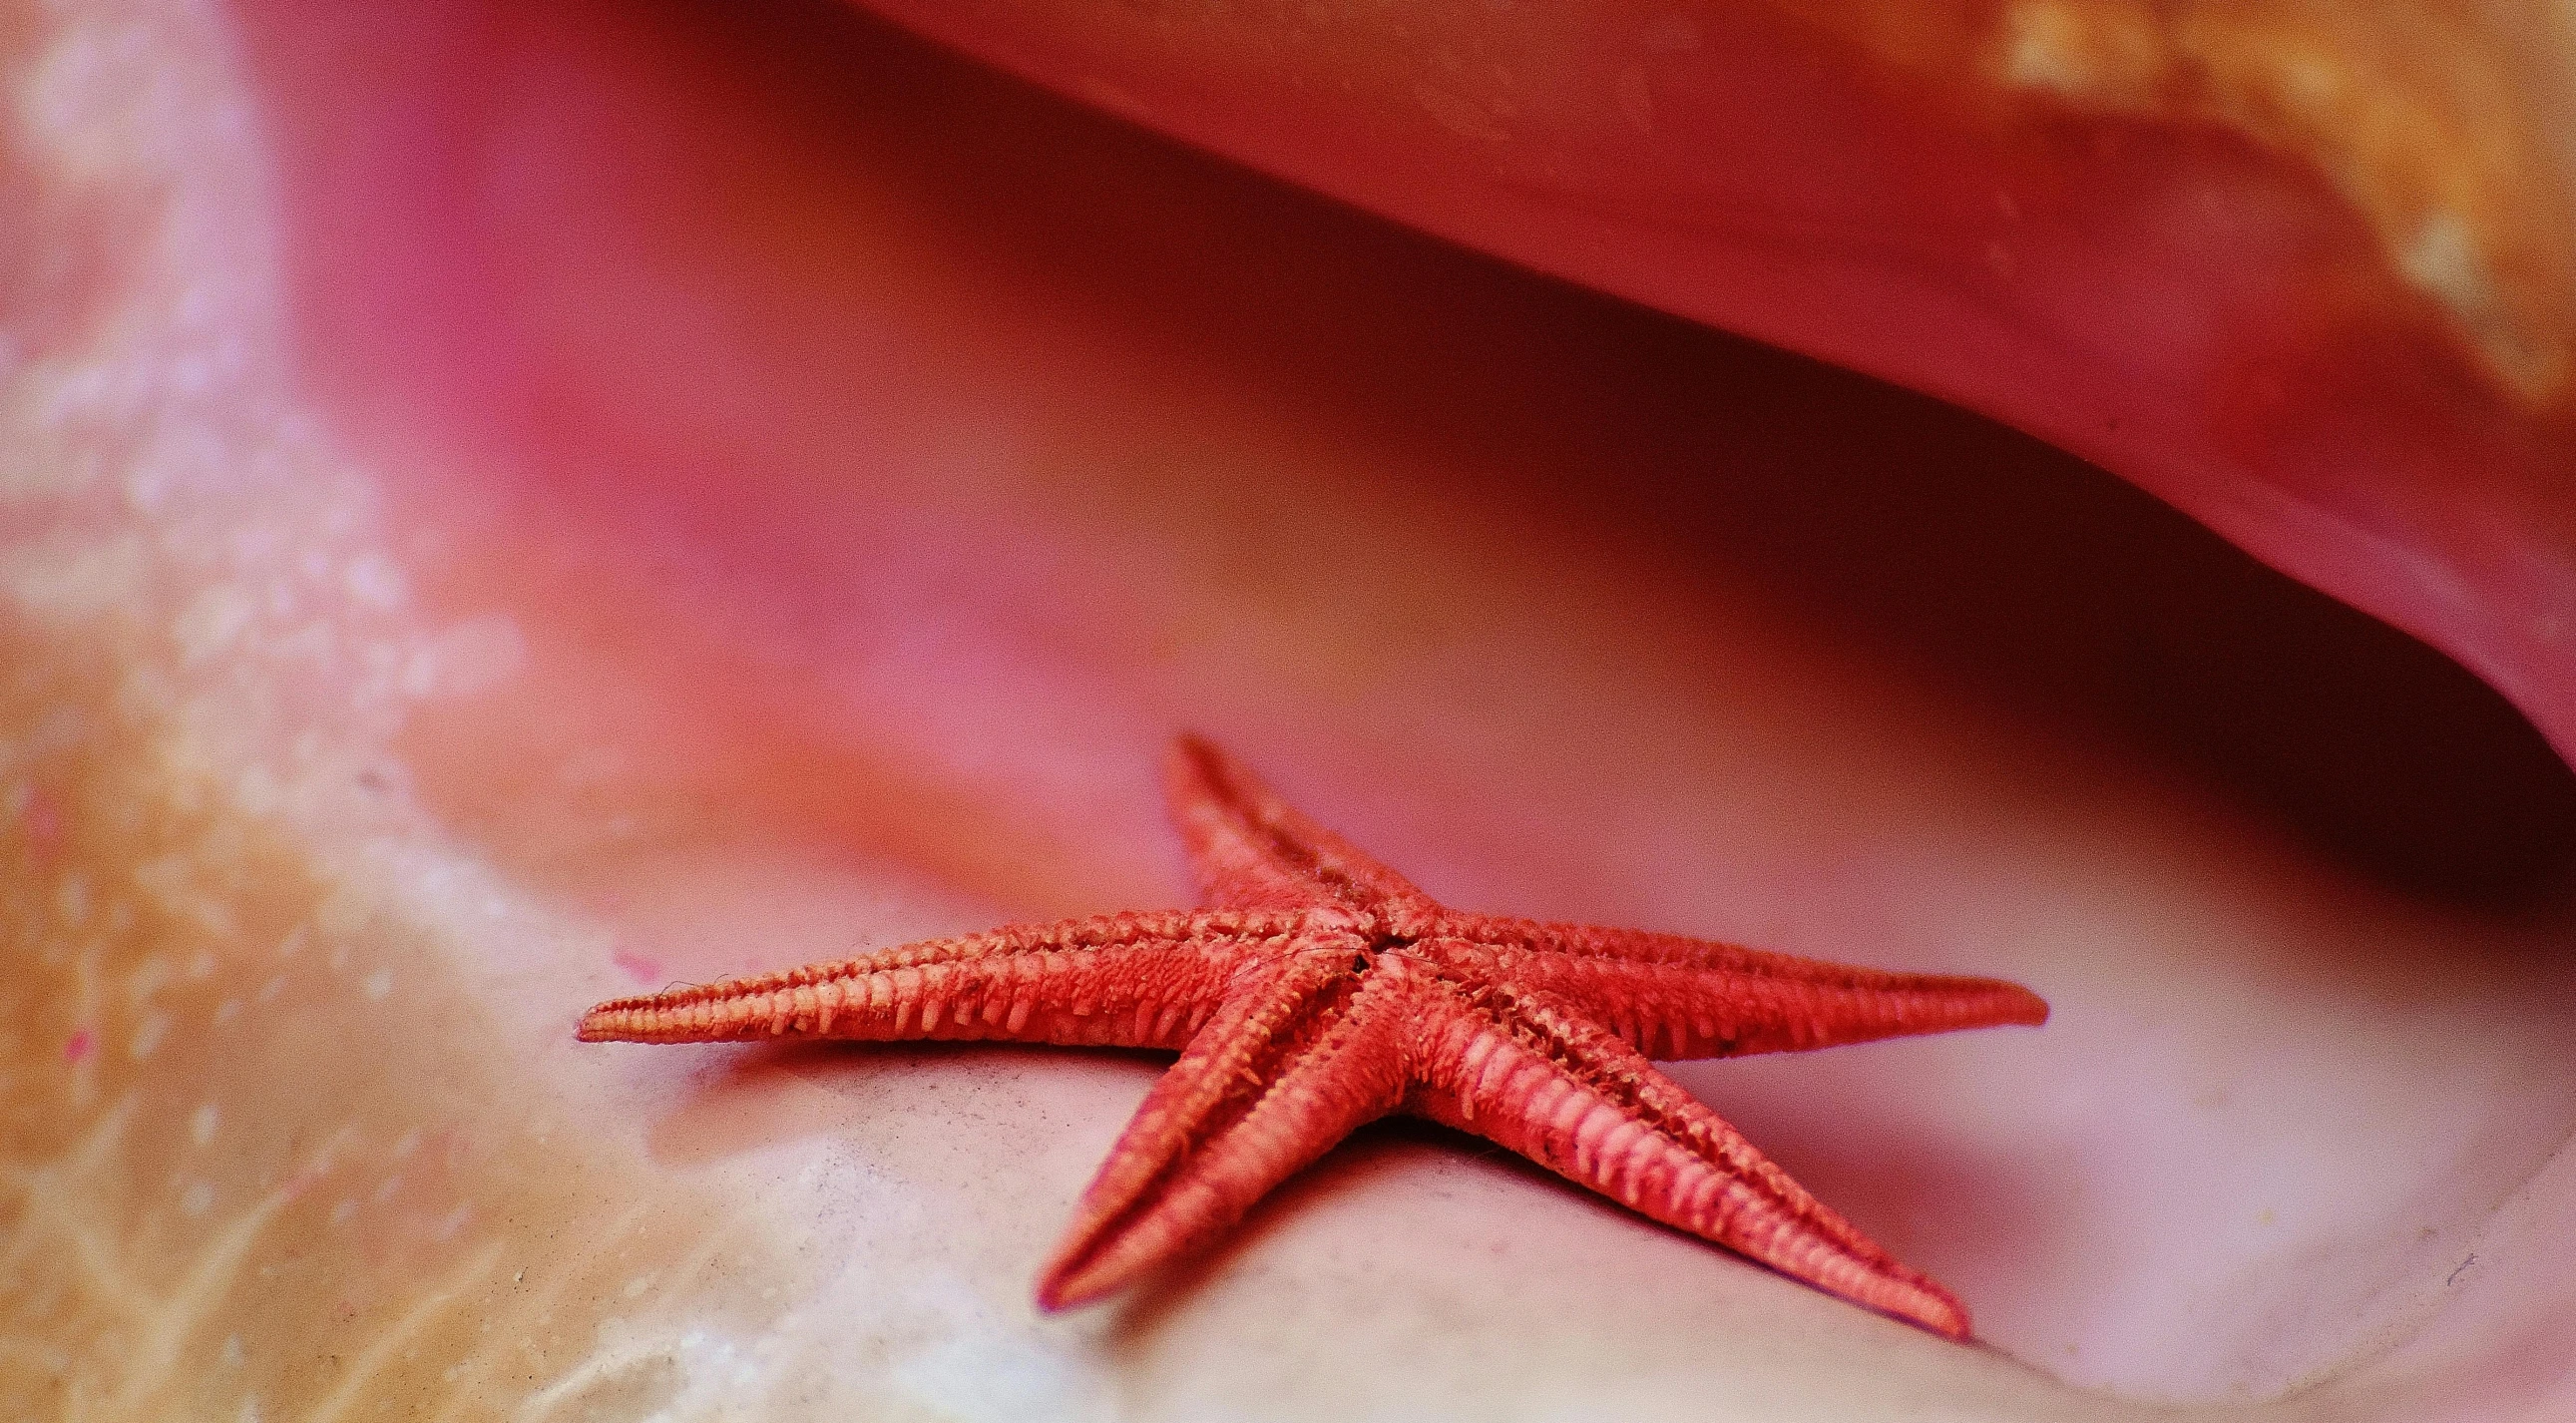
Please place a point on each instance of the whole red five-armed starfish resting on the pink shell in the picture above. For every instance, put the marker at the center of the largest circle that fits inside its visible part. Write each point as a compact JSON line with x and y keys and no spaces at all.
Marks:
{"x":1323,"y":991}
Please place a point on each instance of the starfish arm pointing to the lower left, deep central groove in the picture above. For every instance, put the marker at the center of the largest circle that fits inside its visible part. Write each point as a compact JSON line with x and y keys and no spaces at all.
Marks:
{"x":1287,"y":1069}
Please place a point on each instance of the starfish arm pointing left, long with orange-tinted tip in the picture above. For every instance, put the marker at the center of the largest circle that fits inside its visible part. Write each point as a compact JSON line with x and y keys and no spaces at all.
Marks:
{"x":1114,"y":981}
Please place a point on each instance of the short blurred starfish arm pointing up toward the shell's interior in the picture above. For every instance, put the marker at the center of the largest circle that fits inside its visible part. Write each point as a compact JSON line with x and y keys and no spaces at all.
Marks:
{"x":1251,"y":849}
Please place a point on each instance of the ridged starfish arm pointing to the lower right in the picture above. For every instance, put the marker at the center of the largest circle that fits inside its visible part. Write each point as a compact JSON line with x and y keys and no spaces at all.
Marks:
{"x":1534,"y":1076}
